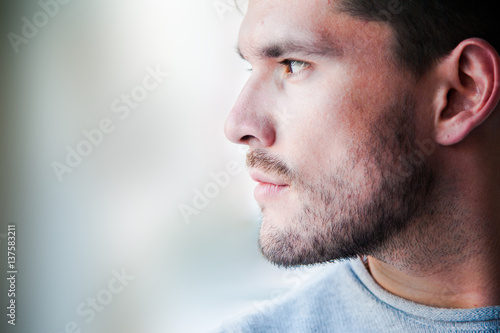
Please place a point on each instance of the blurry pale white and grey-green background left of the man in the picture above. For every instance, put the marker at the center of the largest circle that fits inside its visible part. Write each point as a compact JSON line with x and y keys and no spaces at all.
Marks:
{"x":103,"y":177}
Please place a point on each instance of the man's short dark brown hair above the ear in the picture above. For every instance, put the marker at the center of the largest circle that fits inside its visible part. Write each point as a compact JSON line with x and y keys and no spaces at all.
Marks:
{"x":427,"y":30}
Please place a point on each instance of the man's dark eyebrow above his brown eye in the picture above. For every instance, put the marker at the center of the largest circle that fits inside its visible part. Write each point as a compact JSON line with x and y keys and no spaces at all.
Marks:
{"x":287,"y":46}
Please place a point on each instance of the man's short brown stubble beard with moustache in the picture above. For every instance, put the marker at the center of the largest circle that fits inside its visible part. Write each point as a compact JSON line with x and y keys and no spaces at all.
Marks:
{"x":337,"y":219}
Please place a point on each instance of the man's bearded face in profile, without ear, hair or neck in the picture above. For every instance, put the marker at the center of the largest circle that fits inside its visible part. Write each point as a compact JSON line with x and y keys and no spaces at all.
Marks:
{"x":330,"y":119}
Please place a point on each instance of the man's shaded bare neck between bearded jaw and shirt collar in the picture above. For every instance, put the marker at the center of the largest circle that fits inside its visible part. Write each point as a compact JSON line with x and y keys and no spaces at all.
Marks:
{"x":449,"y":261}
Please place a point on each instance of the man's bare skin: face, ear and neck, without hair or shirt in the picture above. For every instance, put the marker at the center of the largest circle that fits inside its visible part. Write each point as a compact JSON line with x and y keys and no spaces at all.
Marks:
{"x":334,"y":123}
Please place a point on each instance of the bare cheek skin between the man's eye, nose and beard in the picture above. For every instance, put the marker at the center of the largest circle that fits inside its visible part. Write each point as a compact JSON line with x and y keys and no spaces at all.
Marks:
{"x":332,"y":120}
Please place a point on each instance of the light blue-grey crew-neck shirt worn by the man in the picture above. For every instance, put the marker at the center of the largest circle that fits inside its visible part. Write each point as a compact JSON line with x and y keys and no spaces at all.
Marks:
{"x":345,"y":298}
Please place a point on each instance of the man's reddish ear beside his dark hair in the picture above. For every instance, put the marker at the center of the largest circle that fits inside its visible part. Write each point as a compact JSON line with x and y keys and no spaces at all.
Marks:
{"x":470,"y":90}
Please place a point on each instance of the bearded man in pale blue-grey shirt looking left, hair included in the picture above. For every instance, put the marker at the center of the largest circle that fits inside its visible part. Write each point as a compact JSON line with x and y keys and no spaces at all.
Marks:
{"x":374,"y":135}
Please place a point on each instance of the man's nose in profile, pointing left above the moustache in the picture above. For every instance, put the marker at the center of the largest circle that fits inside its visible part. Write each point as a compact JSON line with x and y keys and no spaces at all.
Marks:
{"x":250,"y":121}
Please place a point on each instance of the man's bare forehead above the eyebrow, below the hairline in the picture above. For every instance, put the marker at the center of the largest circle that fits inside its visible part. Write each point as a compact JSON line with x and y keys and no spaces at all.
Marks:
{"x":315,"y":23}
